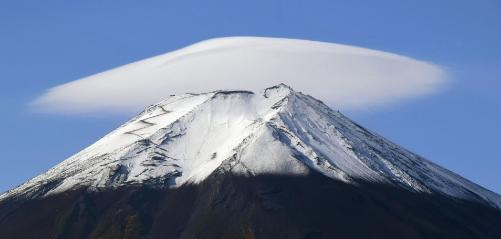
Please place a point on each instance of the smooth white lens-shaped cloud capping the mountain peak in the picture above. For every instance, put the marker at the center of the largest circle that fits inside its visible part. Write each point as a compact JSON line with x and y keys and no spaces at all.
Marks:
{"x":345,"y":77}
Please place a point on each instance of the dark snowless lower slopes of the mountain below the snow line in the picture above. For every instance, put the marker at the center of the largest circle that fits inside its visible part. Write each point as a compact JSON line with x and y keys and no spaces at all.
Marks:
{"x":226,"y":206}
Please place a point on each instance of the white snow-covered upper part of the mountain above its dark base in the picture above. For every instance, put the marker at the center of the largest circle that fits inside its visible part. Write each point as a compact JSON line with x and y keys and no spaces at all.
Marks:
{"x":185,"y":138}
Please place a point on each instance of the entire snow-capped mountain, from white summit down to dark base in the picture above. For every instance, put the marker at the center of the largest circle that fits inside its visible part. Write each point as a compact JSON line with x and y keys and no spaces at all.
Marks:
{"x":239,"y":164}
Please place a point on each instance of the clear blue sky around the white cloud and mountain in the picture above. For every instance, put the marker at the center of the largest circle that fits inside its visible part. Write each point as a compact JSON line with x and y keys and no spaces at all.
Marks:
{"x":47,"y":43}
